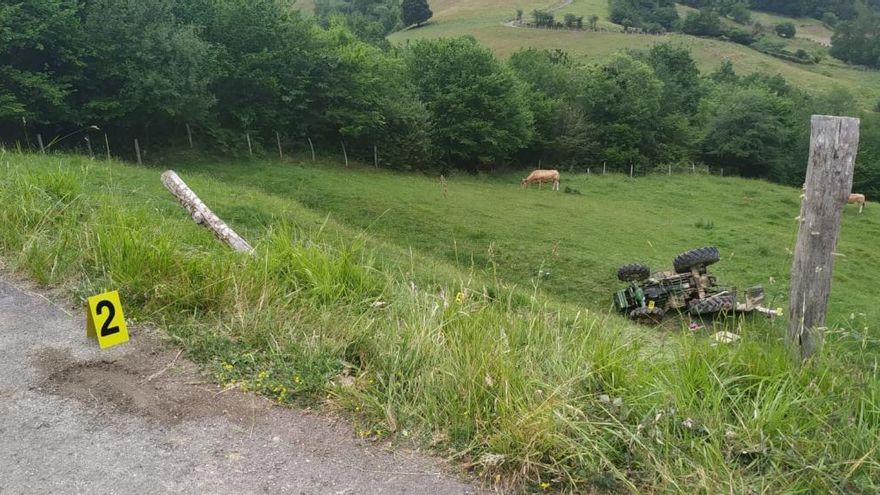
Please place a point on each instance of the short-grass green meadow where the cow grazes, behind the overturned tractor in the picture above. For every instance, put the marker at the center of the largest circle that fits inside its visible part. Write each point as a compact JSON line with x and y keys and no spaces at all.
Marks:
{"x":582,"y":239}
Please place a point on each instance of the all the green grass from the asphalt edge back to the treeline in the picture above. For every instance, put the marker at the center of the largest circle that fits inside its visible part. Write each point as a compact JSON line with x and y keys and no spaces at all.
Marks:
{"x":522,"y":391}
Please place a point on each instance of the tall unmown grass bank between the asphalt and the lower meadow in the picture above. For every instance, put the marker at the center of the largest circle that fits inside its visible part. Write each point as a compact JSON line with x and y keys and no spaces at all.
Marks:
{"x":520,"y":390}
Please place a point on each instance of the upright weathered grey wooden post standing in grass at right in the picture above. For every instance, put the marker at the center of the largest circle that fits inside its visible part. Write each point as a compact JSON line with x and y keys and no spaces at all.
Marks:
{"x":834,"y":143}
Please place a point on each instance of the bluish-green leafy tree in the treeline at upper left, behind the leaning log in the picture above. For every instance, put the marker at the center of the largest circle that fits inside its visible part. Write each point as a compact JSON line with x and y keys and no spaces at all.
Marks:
{"x":145,"y":66}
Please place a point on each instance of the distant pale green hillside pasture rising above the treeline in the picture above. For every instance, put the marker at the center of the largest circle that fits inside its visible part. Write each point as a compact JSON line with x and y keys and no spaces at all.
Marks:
{"x":484,"y":20}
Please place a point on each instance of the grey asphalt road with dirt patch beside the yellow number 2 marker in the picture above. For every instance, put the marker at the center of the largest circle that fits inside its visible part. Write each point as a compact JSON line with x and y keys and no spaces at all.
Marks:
{"x":138,"y":418}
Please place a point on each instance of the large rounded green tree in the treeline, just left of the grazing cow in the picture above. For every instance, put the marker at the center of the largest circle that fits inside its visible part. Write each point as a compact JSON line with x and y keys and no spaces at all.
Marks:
{"x":477,"y":107}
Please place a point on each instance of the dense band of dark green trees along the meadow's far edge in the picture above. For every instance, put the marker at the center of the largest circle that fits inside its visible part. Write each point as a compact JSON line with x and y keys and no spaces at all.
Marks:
{"x":148,"y":68}
